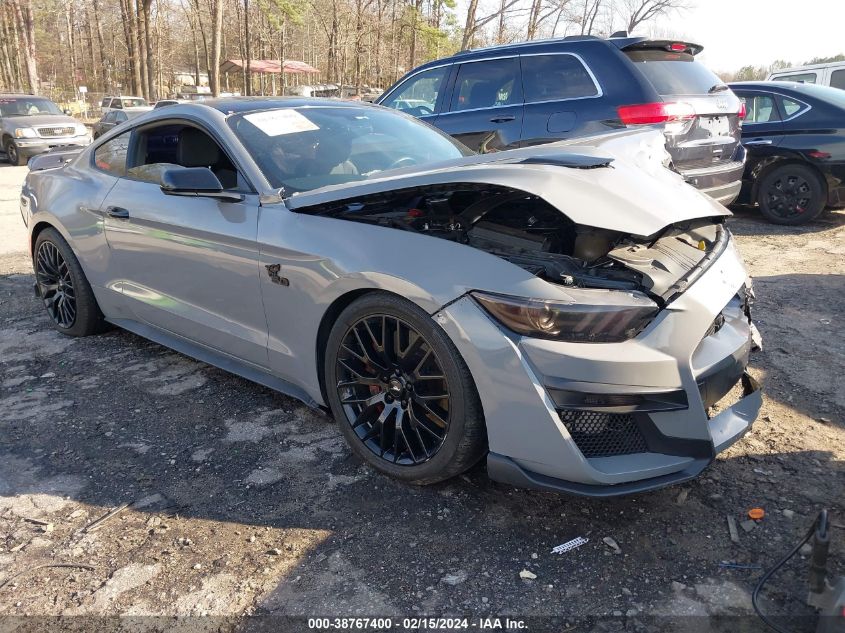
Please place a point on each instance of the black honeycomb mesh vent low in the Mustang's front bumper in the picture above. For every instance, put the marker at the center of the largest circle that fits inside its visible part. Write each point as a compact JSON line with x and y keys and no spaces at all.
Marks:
{"x":604,"y":434}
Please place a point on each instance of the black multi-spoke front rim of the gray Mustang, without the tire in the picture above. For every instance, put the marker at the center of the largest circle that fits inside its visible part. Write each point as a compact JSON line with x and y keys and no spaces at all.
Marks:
{"x":393,"y":390}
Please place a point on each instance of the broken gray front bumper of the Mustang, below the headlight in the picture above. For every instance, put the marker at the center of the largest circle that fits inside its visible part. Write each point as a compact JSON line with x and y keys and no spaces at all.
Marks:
{"x":542,"y":434}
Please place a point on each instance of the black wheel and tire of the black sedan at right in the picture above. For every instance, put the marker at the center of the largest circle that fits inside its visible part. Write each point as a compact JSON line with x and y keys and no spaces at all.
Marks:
{"x":791,"y":194}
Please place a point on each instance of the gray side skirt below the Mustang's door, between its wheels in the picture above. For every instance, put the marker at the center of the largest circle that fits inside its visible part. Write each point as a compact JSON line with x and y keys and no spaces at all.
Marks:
{"x":218,"y":359}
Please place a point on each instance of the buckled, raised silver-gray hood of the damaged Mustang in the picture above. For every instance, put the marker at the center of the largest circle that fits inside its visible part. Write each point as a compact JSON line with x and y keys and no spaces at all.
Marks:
{"x":617,"y":181}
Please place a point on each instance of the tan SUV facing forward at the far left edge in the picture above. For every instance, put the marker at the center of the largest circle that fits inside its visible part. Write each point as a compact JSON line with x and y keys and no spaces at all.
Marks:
{"x":31,"y":125}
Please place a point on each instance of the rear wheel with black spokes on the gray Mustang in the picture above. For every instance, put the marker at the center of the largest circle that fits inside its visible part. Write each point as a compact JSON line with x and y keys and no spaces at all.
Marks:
{"x":63,"y":287}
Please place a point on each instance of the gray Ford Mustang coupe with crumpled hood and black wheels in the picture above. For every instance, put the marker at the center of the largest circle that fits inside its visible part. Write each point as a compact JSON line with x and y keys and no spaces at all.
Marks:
{"x":571,"y":312}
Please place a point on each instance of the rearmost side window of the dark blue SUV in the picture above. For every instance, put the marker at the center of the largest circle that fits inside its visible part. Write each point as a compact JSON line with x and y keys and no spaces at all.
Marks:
{"x":555,"y":77}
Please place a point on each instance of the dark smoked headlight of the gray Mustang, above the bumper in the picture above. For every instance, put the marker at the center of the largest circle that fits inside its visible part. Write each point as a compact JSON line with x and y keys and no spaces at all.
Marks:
{"x":594,"y":316}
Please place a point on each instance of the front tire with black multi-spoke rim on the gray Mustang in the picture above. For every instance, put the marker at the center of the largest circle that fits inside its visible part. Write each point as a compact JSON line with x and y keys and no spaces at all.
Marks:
{"x":402,"y":395}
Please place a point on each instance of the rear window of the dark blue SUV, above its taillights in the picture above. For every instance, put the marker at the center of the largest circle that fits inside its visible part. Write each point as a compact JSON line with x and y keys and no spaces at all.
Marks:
{"x":674,"y":73}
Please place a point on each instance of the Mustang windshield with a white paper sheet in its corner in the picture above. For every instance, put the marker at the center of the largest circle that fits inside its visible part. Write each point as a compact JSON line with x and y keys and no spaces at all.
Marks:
{"x":305,"y":148}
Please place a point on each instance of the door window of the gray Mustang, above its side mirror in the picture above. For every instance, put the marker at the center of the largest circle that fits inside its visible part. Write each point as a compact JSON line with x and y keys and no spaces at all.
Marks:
{"x":176,"y":145}
